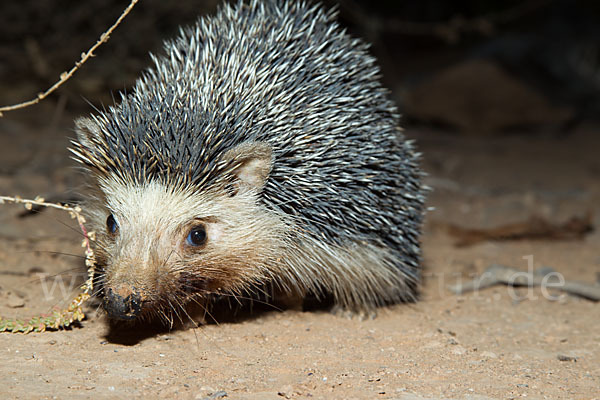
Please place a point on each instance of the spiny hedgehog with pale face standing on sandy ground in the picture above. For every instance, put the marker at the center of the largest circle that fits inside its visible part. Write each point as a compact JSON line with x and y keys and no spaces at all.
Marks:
{"x":260,"y":157}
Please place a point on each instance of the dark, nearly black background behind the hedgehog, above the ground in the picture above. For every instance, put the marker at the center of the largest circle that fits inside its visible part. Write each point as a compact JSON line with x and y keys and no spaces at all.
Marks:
{"x":535,"y":63}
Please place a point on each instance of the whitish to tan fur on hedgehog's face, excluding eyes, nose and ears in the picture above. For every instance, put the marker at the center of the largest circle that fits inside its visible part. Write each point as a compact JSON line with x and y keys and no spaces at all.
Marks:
{"x":150,"y":251}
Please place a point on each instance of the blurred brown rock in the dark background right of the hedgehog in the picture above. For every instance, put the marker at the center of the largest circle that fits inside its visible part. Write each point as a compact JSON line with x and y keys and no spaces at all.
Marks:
{"x":478,"y":97}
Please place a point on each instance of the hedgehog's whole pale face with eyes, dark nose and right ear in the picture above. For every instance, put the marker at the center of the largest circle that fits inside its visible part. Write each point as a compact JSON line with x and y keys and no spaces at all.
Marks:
{"x":160,"y":248}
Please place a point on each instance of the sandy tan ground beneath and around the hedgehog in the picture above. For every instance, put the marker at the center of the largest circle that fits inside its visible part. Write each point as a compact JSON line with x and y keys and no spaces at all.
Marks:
{"x":498,"y":343}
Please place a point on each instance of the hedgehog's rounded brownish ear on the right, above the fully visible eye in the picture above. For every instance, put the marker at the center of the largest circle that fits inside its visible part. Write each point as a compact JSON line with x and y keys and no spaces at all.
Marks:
{"x":254,"y":162}
